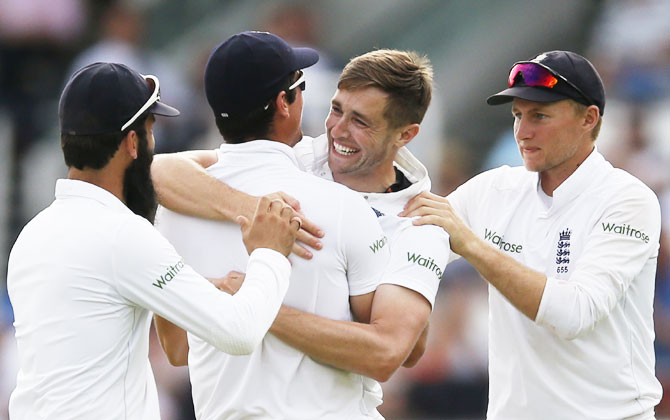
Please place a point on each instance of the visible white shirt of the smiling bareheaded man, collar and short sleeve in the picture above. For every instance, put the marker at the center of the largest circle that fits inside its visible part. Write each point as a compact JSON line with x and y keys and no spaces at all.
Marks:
{"x":418,"y":253}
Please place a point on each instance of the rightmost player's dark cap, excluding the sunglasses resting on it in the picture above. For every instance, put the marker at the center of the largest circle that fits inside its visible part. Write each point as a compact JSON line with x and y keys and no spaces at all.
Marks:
{"x":576,"y":69}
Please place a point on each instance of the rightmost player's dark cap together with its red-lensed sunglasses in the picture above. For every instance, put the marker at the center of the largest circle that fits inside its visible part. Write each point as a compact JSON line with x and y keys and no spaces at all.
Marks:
{"x":553,"y":76}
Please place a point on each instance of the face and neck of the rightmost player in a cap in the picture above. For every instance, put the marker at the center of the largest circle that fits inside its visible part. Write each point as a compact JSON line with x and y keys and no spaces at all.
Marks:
{"x":553,"y":139}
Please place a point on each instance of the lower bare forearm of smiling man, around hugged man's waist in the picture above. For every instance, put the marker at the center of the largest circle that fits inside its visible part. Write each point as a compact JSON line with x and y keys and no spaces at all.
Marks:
{"x":367,"y":349}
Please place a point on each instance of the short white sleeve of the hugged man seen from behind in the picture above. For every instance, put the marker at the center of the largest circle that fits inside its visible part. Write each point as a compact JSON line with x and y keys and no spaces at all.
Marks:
{"x":365,"y":246}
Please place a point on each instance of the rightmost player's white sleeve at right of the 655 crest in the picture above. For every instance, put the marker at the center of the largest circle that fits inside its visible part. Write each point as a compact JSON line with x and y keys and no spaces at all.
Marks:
{"x":622,"y":241}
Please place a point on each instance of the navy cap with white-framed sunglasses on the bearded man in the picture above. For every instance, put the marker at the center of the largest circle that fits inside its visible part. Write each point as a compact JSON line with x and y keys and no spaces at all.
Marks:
{"x":105,"y":98}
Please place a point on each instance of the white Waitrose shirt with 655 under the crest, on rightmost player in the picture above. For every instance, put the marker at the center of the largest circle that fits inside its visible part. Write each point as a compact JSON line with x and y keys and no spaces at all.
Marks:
{"x":589,"y":355}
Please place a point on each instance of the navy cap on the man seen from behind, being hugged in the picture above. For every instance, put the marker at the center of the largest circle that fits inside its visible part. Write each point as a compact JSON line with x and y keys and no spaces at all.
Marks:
{"x":248,"y":69}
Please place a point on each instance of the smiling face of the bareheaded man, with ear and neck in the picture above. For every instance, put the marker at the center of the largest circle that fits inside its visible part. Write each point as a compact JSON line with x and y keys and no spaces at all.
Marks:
{"x":361,"y":142}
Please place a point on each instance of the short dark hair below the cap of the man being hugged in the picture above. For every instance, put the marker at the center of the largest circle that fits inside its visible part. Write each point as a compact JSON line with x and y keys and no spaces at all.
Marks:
{"x":256,"y":124}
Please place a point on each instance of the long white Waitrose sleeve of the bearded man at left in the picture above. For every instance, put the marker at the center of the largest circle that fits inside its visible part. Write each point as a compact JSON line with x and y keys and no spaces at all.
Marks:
{"x":149,"y":273}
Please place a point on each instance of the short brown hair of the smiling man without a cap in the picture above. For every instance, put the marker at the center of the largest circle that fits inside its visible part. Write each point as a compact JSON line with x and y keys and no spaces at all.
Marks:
{"x":405,"y":76}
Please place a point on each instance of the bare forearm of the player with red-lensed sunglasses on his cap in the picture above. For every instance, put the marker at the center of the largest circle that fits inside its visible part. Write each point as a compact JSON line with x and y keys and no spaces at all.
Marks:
{"x":521,"y":286}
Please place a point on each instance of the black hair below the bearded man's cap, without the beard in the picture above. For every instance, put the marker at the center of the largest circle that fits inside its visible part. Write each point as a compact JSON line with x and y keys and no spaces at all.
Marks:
{"x":95,"y":151}
